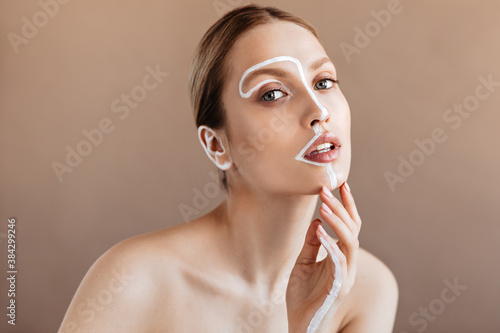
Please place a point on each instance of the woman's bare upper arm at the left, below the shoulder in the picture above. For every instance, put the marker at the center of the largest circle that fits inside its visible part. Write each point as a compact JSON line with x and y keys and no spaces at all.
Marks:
{"x":115,"y":295}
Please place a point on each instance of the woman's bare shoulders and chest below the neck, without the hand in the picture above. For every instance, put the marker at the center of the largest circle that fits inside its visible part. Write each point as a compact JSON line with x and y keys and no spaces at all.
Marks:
{"x":177,"y":281}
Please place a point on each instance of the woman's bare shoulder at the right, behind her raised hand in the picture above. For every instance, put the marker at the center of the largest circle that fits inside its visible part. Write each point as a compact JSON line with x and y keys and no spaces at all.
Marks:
{"x":373,"y":300}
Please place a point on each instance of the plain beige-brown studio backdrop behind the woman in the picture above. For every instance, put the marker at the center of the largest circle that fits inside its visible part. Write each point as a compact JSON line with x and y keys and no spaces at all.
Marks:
{"x":441,"y":223}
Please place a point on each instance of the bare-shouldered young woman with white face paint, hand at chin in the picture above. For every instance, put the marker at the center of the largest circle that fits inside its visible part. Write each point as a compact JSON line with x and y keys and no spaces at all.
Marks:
{"x":272,"y":118}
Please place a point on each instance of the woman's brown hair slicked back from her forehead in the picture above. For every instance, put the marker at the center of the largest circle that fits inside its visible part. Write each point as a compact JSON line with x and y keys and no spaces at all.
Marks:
{"x":208,"y":72}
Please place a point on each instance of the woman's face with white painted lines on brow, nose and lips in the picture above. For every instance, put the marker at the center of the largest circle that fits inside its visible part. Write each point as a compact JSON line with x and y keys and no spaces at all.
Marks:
{"x":286,"y":116}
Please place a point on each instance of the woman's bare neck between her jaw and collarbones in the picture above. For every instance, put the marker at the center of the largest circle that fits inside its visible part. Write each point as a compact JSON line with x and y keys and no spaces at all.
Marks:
{"x":264,"y":234}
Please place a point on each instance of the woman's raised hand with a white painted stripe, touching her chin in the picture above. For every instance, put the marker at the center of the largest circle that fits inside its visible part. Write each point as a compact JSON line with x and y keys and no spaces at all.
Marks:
{"x":315,"y":289}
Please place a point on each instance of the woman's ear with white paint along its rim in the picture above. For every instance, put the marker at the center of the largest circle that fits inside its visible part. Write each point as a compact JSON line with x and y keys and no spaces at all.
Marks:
{"x":214,"y":147}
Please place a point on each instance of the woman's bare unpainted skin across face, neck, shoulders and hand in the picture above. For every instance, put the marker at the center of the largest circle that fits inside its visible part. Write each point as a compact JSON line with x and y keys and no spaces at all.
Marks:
{"x":229,"y":270}
